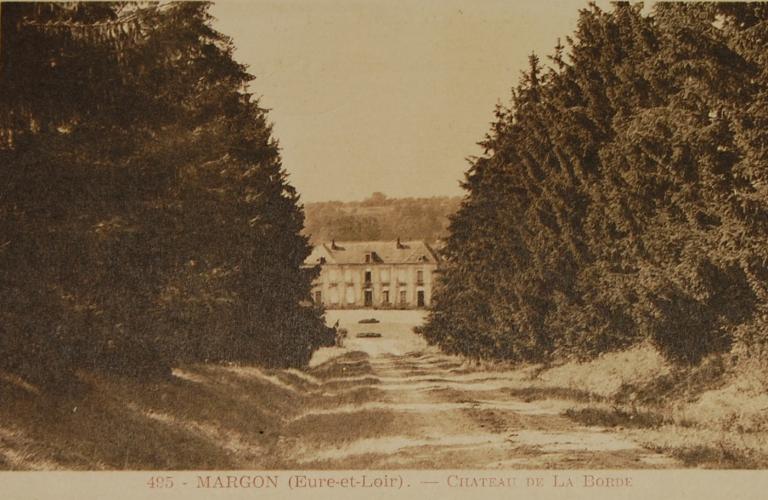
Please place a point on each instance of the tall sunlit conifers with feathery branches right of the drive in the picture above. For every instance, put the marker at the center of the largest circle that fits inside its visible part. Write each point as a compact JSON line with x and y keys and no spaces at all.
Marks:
{"x":622,"y":196}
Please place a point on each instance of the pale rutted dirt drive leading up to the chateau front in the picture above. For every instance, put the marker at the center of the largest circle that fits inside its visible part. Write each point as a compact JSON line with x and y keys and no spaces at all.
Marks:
{"x":392,"y":402}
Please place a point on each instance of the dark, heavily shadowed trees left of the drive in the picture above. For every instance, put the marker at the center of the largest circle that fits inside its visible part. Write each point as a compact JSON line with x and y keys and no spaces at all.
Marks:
{"x":145,"y":216}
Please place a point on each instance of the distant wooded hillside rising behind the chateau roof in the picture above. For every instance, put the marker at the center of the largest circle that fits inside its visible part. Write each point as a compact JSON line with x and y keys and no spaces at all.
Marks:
{"x":380,"y":218}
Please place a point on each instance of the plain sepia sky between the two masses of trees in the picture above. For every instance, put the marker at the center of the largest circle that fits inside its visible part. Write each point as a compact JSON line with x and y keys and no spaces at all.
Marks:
{"x":386,"y":95}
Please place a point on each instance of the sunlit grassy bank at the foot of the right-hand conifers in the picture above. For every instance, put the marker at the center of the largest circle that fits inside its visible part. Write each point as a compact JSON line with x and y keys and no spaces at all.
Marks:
{"x":713,"y":415}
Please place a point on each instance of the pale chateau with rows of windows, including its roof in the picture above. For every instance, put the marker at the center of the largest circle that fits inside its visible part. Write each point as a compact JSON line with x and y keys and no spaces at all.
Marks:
{"x":374,"y":274}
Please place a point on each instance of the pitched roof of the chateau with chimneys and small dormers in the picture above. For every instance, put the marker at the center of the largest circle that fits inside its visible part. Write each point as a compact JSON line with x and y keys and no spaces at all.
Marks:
{"x":382,"y":252}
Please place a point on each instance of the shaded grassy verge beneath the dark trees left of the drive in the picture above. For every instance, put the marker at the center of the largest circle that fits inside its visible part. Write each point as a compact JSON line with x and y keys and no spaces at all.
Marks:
{"x":203,"y":417}
